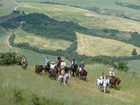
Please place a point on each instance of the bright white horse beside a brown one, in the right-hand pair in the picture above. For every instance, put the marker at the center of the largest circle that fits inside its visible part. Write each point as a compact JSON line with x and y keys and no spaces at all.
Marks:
{"x":102,"y":84}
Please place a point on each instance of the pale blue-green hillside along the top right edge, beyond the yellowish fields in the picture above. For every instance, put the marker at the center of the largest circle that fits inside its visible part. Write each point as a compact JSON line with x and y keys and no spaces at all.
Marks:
{"x":126,"y":9}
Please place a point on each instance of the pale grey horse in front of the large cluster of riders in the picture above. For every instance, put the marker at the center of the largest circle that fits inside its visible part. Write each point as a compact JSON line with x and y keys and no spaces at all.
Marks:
{"x":64,"y":79}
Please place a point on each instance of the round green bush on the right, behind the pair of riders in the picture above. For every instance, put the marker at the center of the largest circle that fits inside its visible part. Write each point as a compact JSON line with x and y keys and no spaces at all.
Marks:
{"x":122,"y":65}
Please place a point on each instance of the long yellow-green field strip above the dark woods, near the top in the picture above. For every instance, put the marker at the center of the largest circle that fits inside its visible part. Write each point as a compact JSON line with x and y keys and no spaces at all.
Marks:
{"x":83,"y":17}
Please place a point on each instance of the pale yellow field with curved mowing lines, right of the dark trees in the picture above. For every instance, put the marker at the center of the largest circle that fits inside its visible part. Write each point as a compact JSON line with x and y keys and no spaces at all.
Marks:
{"x":93,"y":46}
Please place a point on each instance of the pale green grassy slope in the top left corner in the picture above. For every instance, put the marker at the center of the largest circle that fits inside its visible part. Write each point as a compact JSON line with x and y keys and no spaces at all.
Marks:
{"x":7,"y":7}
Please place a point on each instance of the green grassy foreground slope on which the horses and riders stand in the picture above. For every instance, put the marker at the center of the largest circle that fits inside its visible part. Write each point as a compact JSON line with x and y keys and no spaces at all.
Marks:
{"x":77,"y":93}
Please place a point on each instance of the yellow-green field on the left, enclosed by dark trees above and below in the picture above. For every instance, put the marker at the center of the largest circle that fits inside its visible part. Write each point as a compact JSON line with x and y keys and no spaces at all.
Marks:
{"x":40,"y":42}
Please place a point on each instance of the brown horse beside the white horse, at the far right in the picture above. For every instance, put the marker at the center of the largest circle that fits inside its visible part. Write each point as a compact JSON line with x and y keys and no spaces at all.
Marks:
{"x":114,"y":81}
